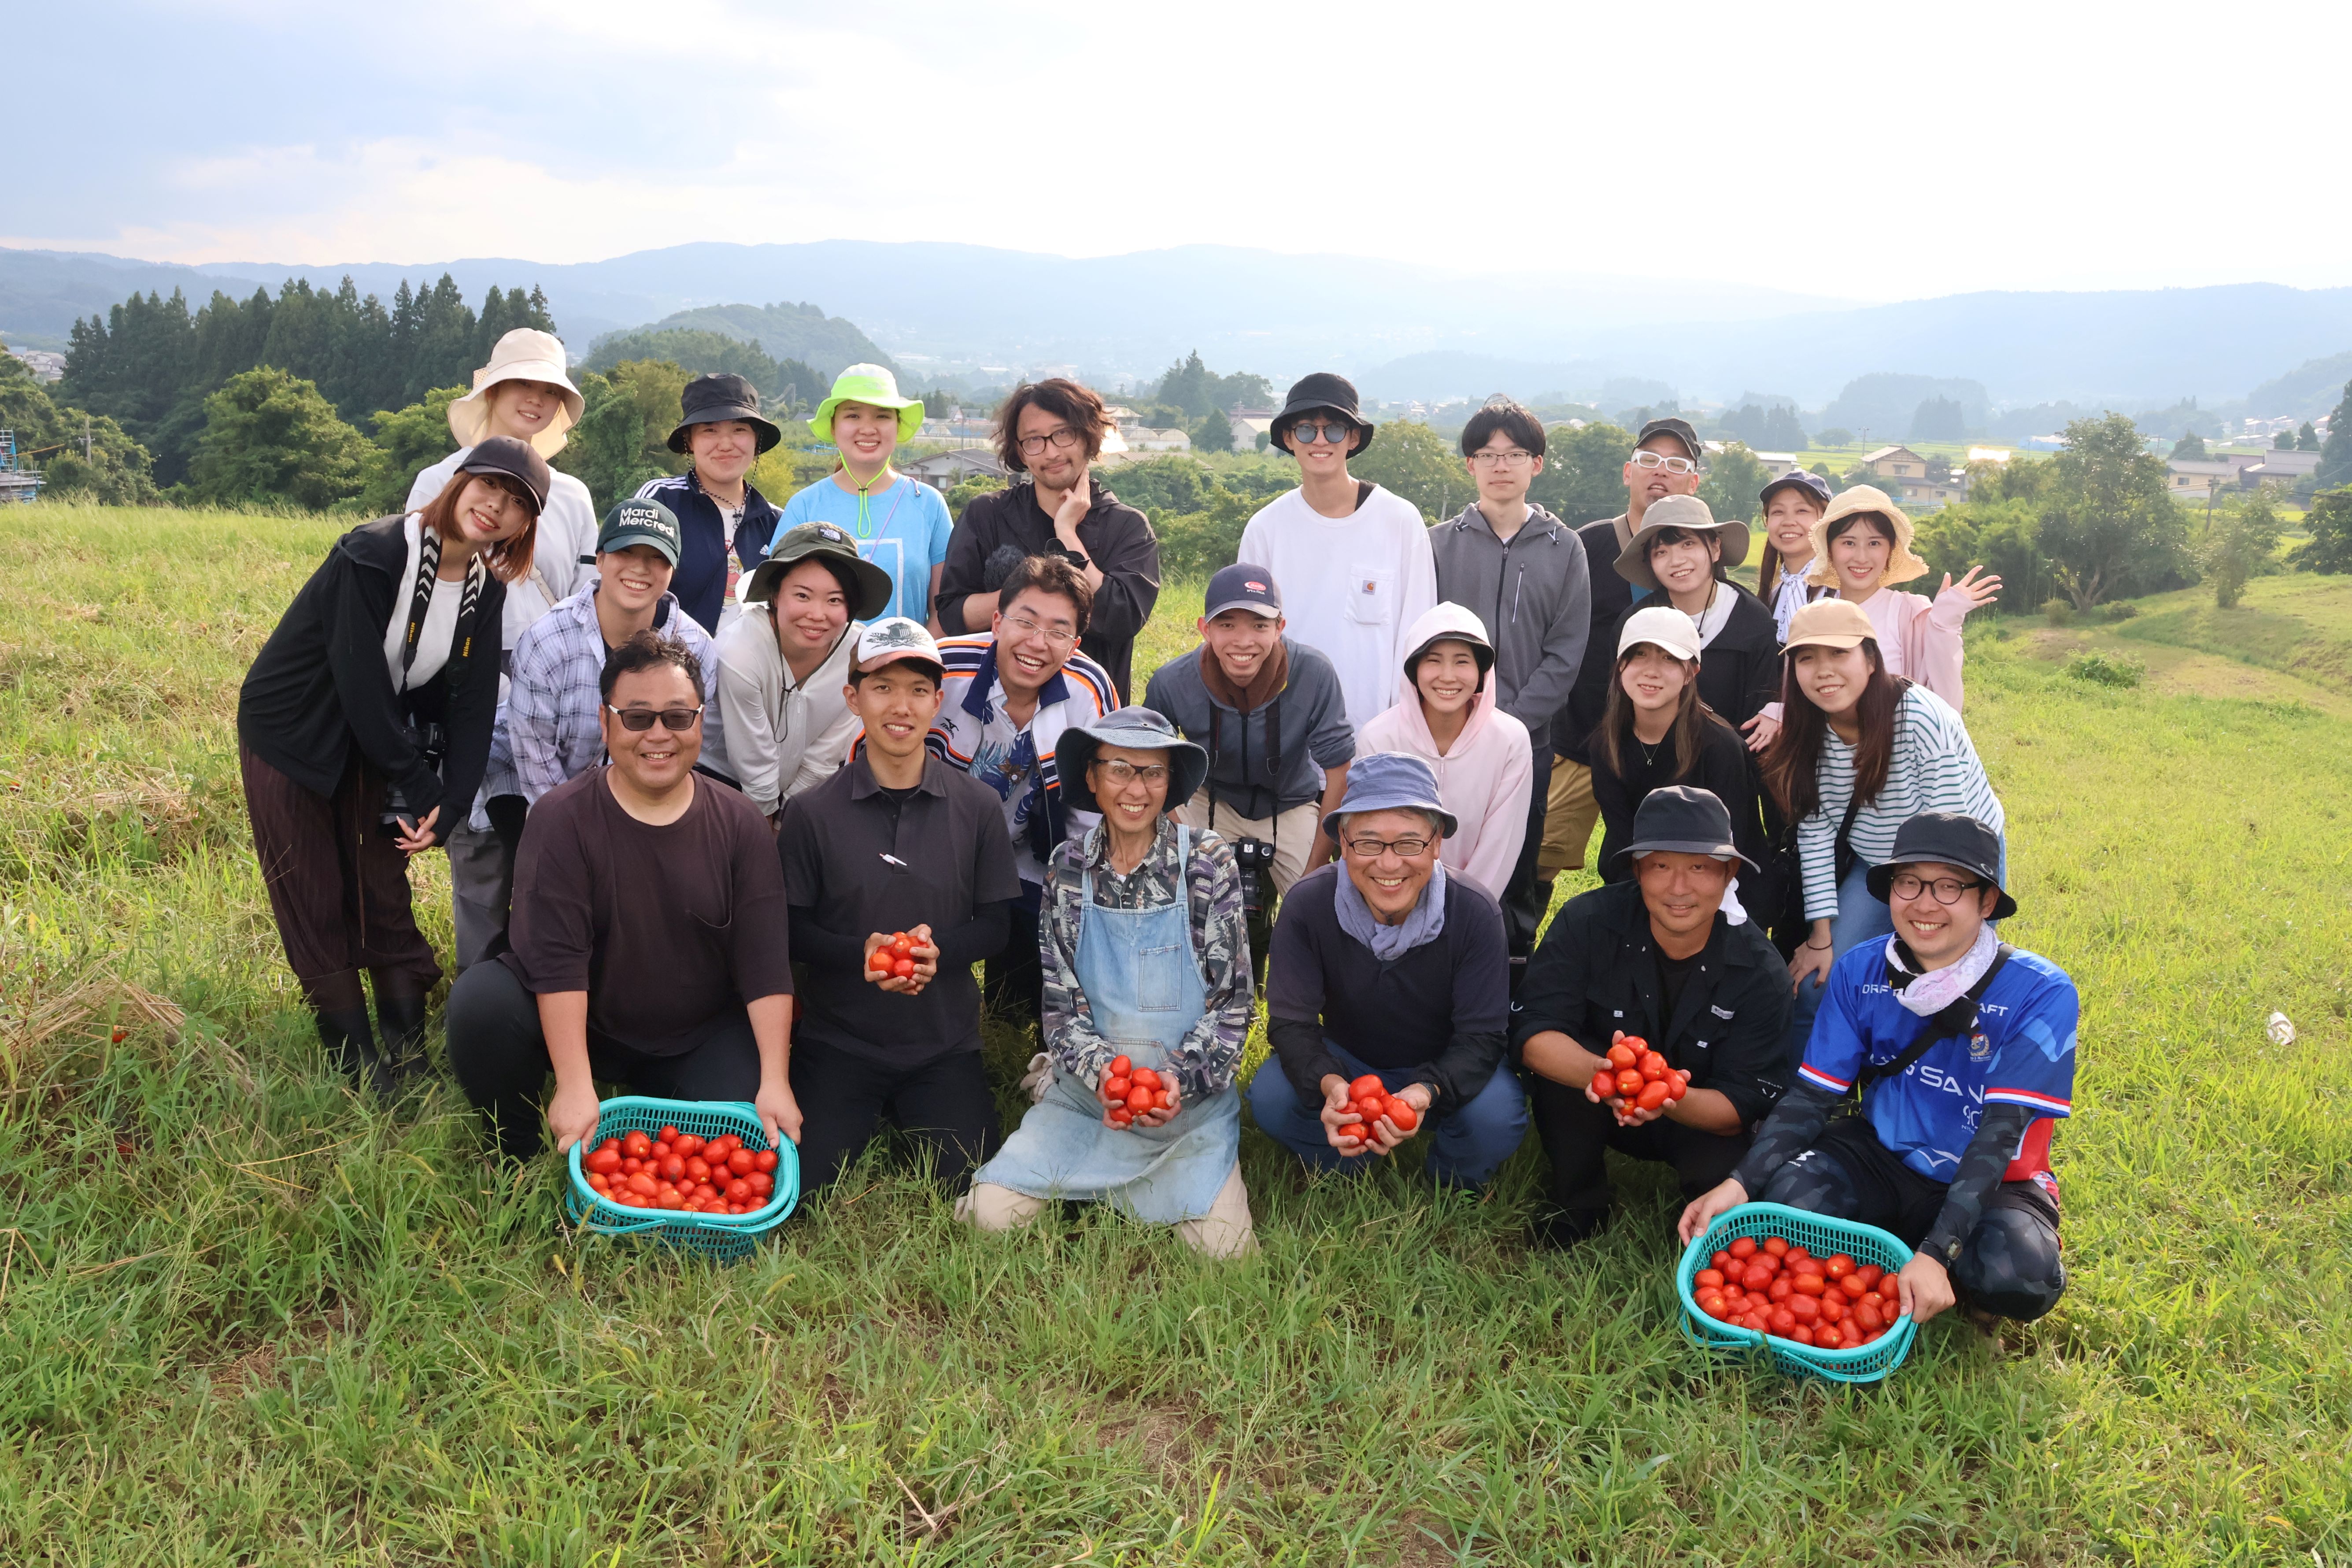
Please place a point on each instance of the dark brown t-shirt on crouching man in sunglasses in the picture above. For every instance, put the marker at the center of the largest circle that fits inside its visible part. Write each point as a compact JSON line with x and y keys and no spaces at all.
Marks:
{"x":669,"y":930}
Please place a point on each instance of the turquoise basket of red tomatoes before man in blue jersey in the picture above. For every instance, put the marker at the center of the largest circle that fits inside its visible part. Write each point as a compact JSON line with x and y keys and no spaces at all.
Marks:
{"x":1812,"y":1294}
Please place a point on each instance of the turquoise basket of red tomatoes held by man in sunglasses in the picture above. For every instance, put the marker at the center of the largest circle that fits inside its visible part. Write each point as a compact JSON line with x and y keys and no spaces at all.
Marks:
{"x":695,"y":1174}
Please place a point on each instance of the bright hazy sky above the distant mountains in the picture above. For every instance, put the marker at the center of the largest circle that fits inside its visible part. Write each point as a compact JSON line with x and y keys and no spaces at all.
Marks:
{"x":1847,"y":152}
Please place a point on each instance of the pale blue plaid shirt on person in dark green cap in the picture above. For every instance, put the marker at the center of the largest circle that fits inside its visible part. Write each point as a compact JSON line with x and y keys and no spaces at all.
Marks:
{"x":549,"y":728}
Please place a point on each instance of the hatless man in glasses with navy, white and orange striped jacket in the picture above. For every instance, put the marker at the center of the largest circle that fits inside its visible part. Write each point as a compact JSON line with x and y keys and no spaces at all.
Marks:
{"x":1008,"y":699}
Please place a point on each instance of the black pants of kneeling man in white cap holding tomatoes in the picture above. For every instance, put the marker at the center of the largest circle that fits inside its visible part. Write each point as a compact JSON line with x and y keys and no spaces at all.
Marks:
{"x":942,"y":1106}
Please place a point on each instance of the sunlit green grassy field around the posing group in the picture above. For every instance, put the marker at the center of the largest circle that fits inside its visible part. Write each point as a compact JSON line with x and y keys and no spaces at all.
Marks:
{"x":246,"y":1320}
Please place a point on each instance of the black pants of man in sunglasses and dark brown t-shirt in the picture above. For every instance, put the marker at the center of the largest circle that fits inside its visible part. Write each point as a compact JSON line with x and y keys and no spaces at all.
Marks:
{"x":500,"y":1059}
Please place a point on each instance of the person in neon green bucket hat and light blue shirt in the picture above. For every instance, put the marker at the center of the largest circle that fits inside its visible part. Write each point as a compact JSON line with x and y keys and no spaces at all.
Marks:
{"x":897,"y":523}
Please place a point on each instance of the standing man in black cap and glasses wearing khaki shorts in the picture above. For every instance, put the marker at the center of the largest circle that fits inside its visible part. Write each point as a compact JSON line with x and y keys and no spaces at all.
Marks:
{"x":1666,"y":462}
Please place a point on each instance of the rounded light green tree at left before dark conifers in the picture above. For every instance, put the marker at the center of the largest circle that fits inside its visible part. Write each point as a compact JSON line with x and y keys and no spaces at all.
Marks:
{"x":274,"y":441}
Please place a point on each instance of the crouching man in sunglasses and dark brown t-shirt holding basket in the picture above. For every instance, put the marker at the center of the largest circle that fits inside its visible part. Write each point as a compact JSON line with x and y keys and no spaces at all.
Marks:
{"x":648,"y":937}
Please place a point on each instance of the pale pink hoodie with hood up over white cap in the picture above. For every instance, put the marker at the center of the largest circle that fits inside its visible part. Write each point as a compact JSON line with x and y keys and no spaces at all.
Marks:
{"x":1485,"y":779}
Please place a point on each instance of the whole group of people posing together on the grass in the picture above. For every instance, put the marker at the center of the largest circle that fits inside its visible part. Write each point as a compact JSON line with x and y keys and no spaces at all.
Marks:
{"x":700,"y":760}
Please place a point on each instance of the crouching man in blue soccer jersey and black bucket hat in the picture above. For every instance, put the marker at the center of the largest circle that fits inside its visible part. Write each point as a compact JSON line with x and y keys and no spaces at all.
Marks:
{"x":1963,"y":1052}
